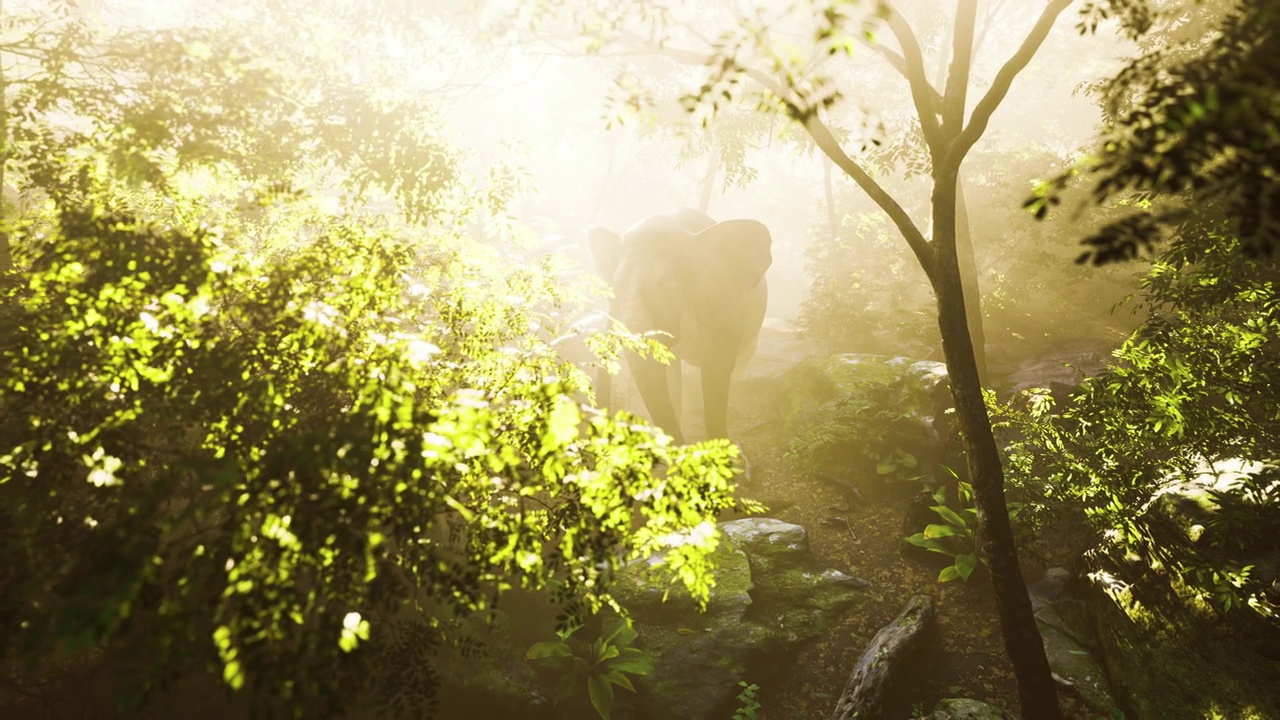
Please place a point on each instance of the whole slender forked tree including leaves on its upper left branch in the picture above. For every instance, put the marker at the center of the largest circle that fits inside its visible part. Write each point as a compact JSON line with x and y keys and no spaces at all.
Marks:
{"x":757,"y":62}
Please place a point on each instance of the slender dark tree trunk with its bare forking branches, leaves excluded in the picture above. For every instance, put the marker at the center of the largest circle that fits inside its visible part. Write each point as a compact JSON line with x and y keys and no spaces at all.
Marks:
{"x":950,"y":136}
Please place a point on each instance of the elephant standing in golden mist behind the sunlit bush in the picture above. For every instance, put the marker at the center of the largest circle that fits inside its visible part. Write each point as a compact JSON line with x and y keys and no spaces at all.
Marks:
{"x":702,"y":284}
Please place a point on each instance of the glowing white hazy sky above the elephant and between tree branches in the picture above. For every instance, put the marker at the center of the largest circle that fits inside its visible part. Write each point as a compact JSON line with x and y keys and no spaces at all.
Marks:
{"x":546,"y":111}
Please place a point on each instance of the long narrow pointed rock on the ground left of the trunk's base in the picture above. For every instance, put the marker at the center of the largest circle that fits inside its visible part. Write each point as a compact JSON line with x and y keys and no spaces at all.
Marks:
{"x":890,"y":662}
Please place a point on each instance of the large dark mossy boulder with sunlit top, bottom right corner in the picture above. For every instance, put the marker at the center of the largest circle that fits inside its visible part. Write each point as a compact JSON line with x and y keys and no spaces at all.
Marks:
{"x":1171,"y":644}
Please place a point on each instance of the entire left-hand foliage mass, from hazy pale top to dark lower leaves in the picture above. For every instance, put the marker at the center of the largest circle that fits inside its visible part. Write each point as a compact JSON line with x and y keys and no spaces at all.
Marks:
{"x":258,"y":432}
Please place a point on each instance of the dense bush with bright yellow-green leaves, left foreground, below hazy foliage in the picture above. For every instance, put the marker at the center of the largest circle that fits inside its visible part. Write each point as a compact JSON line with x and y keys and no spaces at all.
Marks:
{"x":244,"y":439}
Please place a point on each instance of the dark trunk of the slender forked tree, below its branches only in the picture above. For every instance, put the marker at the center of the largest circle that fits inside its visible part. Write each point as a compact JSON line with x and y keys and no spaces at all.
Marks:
{"x":1036,"y":689}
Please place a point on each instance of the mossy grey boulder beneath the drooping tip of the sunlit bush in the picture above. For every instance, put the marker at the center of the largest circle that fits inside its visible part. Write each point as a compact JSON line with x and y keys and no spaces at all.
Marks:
{"x":771,"y":596}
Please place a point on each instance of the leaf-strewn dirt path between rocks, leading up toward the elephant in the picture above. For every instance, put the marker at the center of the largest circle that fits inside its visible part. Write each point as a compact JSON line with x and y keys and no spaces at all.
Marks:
{"x":861,"y":532}
